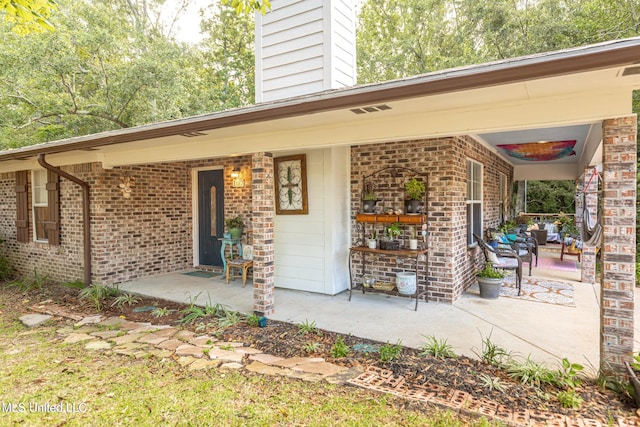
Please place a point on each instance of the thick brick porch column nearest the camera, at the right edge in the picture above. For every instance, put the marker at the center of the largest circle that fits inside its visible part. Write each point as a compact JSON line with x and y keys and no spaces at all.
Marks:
{"x":619,"y":250}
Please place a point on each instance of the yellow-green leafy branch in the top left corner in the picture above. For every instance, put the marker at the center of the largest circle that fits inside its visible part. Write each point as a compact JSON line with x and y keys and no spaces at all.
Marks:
{"x":27,"y":16}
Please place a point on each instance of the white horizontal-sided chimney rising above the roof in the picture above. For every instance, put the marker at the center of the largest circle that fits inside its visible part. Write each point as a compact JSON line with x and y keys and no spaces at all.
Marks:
{"x":303,"y":47}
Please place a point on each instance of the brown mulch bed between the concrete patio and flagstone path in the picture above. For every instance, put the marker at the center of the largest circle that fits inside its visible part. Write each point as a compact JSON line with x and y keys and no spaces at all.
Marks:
{"x":286,"y":340}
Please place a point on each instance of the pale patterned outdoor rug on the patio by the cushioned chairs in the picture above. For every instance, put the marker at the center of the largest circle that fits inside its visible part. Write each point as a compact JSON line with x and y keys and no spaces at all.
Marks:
{"x":537,"y":290}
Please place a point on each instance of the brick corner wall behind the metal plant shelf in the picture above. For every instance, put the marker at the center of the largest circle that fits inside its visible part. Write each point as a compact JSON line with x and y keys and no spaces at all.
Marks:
{"x":451,"y":265}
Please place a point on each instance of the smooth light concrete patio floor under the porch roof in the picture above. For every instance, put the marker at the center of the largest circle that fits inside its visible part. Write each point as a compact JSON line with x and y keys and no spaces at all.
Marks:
{"x":547,"y":332}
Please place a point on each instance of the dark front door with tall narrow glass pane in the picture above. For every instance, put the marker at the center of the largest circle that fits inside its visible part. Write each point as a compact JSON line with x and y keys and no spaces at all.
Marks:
{"x":210,"y":216}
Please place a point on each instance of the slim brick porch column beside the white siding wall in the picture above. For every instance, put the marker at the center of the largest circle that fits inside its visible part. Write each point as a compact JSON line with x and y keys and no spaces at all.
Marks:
{"x":263,"y":208}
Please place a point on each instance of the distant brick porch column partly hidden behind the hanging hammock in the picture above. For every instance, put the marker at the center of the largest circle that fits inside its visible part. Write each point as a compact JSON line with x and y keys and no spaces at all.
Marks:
{"x":588,"y":257}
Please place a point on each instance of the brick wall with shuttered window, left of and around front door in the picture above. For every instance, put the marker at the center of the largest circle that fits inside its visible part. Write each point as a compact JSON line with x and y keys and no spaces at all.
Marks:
{"x":148,"y":234}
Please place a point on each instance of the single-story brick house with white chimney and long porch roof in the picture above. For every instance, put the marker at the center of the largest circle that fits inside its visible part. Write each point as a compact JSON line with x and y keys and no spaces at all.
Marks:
{"x":151,"y":190}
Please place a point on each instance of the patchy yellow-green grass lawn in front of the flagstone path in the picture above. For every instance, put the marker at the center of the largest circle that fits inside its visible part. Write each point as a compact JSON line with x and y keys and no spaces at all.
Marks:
{"x":118,"y":390}
